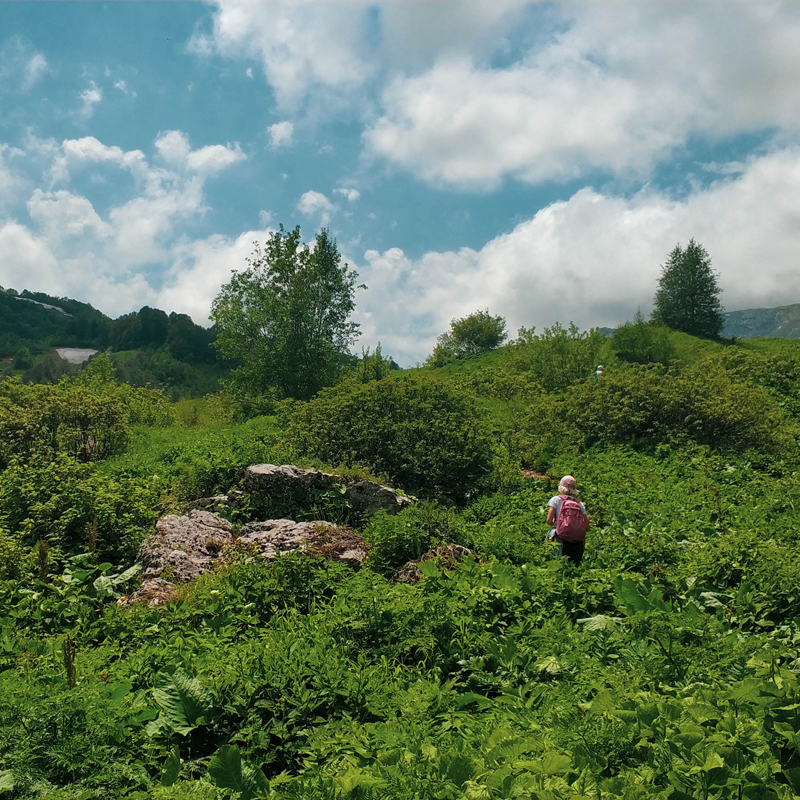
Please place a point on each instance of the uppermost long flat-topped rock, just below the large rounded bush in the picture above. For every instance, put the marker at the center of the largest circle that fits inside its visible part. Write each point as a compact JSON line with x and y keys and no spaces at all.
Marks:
{"x":365,"y":497}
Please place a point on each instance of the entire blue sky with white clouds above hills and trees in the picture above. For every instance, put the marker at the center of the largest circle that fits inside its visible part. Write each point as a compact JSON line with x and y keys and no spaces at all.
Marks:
{"x":536,"y":160}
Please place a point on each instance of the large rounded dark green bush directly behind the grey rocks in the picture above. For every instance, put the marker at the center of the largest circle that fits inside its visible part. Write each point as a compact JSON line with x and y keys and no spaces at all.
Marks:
{"x":427,"y":437}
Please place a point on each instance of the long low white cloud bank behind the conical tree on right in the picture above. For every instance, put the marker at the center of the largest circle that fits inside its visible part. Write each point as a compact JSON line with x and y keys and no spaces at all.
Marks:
{"x":595,"y":259}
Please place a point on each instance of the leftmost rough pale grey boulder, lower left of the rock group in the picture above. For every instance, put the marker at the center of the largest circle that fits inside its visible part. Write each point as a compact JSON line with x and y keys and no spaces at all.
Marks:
{"x":183,"y":548}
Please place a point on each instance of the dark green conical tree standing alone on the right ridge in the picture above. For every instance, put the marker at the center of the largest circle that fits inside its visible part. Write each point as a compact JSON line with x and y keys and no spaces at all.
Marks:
{"x":687,"y":298}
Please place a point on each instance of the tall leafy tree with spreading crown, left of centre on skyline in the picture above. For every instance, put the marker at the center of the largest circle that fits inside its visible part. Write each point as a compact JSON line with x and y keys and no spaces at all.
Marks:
{"x":286,"y":319}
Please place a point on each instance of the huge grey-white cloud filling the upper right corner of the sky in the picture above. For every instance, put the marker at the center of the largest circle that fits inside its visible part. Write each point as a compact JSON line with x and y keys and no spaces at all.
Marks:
{"x":619,"y":88}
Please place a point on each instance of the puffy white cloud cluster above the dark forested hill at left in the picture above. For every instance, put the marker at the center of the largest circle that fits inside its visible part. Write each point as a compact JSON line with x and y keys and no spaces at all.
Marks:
{"x":122,"y":256}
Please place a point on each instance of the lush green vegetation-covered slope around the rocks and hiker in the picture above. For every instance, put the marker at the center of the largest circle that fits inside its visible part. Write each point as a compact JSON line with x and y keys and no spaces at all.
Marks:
{"x":665,"y":666}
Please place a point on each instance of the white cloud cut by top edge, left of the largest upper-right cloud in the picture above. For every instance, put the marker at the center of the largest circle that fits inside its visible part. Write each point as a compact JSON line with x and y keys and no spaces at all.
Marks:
{"x":338,"y":47}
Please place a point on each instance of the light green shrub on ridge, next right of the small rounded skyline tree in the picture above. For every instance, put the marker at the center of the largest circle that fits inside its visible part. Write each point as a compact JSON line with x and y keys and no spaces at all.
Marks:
{"x":557,"y":357}
